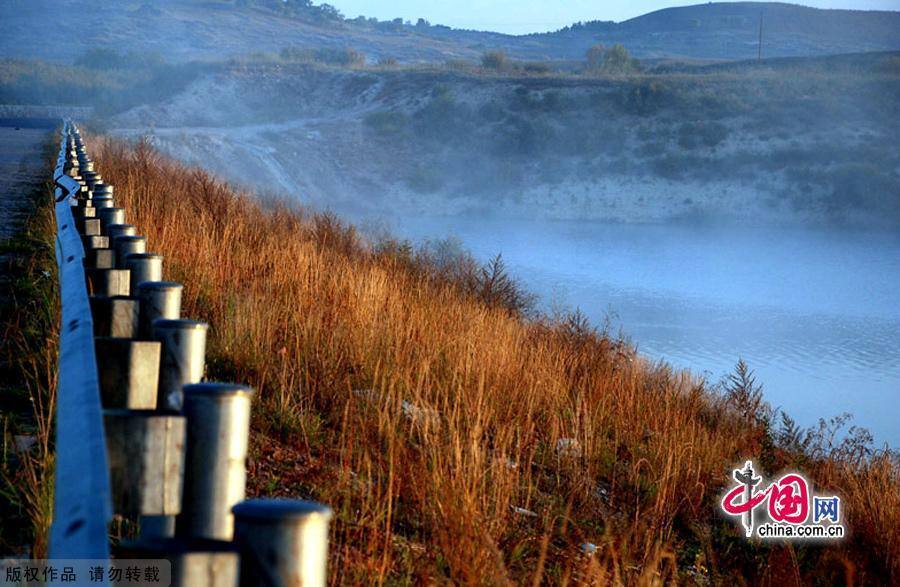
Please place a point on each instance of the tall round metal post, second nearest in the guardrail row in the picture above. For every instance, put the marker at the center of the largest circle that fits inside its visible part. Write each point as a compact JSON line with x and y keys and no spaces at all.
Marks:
{"x":218,"y":416}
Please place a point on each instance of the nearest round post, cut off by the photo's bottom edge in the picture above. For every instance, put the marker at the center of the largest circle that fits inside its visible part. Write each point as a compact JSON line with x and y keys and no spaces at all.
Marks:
{"x":282,"y":542}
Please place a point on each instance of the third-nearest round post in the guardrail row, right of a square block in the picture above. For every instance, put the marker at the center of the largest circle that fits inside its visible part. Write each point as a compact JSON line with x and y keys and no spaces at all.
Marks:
{"x":182,"y":360}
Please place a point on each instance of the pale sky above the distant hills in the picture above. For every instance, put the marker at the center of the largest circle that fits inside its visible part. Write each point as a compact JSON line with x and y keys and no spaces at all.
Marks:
{"x":526,"y":16}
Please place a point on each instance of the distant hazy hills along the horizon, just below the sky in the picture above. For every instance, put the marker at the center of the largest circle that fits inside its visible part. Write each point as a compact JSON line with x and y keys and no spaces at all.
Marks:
{"x":209,"y":30}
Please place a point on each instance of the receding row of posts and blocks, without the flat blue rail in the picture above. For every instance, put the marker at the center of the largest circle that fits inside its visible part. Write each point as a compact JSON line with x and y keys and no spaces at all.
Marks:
{"x":177,"y":445}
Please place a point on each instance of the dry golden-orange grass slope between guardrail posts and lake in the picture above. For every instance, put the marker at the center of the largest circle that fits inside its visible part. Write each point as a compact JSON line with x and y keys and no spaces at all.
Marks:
{"x":434,"y":423}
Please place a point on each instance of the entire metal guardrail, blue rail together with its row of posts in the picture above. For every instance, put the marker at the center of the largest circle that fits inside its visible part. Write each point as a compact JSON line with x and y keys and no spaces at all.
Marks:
{"x":139,"y":435}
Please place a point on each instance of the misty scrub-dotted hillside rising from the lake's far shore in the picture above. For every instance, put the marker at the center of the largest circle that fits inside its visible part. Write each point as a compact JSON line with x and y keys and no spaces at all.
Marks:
{"x":786,"y":140}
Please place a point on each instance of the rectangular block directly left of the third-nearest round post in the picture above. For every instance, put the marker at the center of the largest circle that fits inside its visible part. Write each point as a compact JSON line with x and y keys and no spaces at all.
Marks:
{"x":128,"y":371}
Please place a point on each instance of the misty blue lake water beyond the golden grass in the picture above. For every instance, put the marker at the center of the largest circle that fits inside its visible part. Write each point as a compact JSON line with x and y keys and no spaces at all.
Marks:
{"x":815,"y":313}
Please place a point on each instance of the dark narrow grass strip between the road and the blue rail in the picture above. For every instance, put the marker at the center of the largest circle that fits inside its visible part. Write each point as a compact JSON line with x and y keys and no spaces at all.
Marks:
{"x":29,"y":321}
